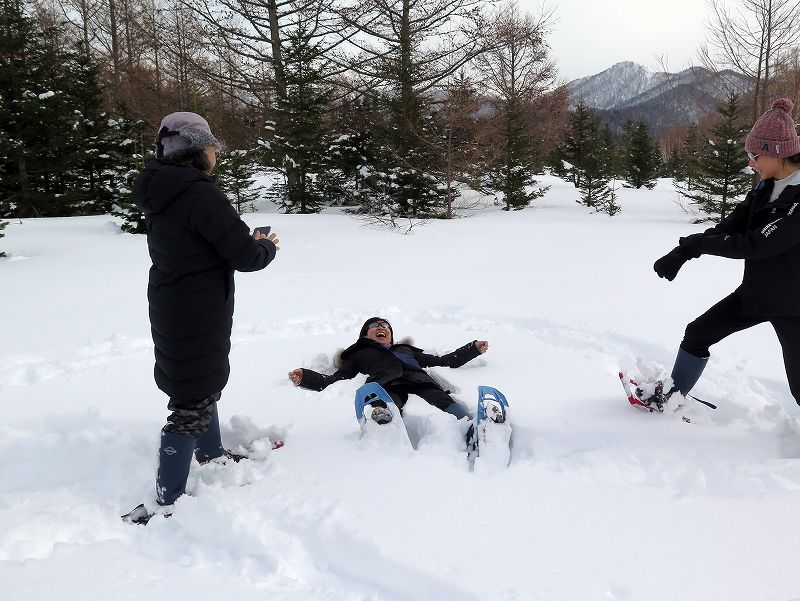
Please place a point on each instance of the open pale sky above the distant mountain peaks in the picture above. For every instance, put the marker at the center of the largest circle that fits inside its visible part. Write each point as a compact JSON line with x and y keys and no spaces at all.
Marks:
{"x":592,"y":35}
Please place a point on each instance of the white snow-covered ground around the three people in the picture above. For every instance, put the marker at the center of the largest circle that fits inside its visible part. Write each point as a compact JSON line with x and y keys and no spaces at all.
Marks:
{"x":601,"y":502}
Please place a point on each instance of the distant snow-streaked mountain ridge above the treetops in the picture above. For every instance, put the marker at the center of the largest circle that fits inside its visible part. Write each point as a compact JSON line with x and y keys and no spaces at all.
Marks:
{"x":628,"y":90}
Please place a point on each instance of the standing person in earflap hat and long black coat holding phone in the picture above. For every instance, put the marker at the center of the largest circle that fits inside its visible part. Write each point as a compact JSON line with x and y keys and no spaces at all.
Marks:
{"x":196,"y":241}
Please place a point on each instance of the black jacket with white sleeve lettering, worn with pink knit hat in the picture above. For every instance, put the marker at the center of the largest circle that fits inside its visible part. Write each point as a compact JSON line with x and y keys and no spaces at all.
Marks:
{"x":767,"y":236}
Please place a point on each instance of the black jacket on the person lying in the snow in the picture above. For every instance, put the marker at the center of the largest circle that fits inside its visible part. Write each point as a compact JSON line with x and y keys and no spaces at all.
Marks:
{"x":383,"y":366}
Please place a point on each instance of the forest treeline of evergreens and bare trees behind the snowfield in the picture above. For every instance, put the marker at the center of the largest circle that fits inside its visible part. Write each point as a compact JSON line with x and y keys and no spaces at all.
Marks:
{"x":386,"y":107}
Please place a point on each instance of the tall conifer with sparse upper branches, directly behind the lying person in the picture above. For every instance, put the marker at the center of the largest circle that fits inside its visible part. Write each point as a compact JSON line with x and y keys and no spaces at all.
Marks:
{"x":409,"y":50}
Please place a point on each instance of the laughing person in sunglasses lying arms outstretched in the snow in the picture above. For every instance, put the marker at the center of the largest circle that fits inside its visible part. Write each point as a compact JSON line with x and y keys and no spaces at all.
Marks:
{"x":399,"y":368}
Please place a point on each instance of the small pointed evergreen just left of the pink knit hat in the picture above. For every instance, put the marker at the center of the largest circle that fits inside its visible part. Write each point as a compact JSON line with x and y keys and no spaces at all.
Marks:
{"x":721,"y":179}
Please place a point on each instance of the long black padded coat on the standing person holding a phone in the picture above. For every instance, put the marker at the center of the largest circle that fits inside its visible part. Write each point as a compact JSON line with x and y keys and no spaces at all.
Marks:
{"x":196,"y":241}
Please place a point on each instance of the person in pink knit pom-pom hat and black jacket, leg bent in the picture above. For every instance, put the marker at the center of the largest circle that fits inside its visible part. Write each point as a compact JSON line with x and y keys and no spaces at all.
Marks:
{"x":764,"y":230}
